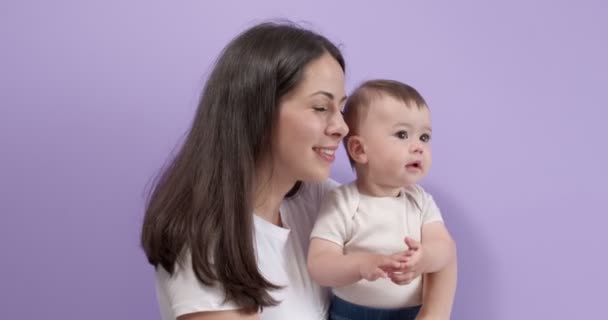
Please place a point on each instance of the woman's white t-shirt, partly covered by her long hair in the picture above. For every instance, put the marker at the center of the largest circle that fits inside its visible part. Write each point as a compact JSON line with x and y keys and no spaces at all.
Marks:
{"x":281,"y":256}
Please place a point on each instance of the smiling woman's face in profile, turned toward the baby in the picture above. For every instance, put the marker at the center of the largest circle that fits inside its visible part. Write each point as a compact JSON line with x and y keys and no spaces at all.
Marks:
{"x":310,"y":126}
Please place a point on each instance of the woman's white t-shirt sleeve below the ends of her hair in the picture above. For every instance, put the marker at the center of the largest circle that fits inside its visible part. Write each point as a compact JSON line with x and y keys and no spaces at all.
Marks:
{"x":183,"y":293}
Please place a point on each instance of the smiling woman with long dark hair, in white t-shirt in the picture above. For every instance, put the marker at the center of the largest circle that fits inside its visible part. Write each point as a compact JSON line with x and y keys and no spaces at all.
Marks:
{"x":228,"y":222}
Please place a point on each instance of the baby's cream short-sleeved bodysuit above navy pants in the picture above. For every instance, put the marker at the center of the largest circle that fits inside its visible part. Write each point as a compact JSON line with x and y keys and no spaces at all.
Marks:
{"x":359,"y":222}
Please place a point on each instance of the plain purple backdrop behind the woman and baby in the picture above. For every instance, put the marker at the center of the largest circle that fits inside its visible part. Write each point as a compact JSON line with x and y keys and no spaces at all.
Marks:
{"x":94,"y":97}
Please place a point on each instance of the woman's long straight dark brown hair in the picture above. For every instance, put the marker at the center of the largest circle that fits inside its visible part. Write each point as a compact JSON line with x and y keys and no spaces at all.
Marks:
{"x":201,"y":203}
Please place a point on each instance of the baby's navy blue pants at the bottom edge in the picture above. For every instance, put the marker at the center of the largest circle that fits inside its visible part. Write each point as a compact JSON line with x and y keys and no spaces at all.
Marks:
{"x":344,"y":310}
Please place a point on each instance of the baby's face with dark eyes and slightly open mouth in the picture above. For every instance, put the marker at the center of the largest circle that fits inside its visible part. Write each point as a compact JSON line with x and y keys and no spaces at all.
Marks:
{"x":397,"y":141}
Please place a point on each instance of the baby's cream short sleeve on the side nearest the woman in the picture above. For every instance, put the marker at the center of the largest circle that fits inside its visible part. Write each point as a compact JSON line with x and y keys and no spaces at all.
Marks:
{"x":333,"y":222}
